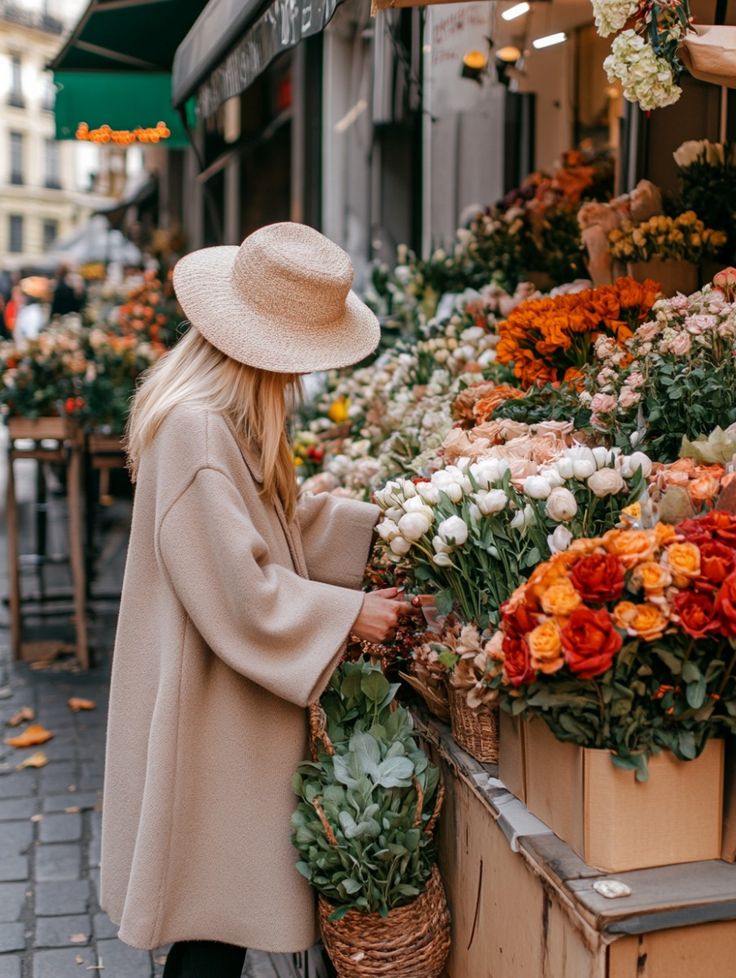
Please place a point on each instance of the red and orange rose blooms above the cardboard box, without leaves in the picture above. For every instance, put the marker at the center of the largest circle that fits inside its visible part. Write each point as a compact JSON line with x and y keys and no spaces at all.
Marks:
{"x":576,"y":609}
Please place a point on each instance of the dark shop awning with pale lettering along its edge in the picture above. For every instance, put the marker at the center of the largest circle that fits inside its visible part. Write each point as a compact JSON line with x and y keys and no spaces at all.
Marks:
{"x":233,"y":41}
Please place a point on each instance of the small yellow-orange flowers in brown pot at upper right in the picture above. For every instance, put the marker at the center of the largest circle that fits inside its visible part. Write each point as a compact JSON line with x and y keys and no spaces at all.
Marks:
{"x":666,"y":248}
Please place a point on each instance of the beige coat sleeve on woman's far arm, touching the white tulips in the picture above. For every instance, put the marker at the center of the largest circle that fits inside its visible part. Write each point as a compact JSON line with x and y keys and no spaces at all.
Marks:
{"x":336,"y":534}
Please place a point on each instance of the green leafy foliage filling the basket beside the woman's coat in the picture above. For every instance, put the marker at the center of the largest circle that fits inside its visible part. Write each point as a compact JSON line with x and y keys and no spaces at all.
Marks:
{"x":369,"y":795}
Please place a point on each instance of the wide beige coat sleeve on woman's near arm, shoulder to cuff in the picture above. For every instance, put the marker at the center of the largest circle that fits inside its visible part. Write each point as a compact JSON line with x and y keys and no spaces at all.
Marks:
{"x":279,"y":630}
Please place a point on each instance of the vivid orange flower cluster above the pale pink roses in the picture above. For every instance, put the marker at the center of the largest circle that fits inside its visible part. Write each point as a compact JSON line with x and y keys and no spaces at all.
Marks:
{"x":550,"y":340}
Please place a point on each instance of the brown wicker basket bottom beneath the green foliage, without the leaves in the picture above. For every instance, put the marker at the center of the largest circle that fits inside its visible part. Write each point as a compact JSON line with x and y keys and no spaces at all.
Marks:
{"x":411,"y":942}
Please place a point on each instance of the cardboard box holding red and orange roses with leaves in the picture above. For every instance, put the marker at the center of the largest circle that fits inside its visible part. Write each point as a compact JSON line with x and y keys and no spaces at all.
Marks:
{"x":623,"y":649}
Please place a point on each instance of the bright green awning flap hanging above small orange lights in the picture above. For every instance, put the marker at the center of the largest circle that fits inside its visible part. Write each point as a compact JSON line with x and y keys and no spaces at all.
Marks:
{"x":125,"y":101}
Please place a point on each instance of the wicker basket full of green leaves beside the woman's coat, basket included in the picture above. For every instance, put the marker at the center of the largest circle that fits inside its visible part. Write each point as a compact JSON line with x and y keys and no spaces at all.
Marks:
{"x":369,"y":802}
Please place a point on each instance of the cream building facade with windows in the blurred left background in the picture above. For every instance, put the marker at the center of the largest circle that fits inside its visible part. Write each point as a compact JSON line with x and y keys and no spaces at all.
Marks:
{"x":43,"y":182}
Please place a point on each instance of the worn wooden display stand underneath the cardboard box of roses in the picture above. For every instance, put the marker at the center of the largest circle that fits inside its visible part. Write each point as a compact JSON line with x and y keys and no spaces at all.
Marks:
{"x":524,"y":905}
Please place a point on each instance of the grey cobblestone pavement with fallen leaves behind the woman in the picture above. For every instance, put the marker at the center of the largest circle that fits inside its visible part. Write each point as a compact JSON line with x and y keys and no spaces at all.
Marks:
{"x":51,"y":924}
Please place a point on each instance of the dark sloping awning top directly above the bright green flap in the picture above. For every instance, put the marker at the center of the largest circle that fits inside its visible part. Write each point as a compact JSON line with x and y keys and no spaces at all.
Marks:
{"x":127,"y":35}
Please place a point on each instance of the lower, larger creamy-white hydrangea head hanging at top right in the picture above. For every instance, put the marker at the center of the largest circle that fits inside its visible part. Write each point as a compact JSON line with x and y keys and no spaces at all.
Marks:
{"x":646,"y":78}
